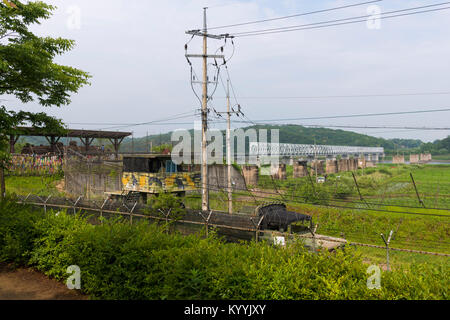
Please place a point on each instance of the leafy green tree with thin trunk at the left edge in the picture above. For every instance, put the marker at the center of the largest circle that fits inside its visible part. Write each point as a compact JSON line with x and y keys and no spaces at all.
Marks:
{"x":28,"y":71}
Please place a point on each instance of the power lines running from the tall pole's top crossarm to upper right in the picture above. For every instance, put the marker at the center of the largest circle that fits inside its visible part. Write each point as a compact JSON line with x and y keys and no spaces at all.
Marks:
{"x":324,"y":24}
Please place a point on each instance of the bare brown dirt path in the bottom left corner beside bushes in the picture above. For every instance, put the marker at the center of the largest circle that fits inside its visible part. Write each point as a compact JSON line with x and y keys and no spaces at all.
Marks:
{"x":27,"y":284}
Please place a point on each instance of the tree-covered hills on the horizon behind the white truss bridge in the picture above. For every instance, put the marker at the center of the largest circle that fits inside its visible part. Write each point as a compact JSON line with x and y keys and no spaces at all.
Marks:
{"x":297,"y":134}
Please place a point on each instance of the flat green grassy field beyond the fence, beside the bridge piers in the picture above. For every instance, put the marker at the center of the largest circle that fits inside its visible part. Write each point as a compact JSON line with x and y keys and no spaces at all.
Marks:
{"x":389,"y":203}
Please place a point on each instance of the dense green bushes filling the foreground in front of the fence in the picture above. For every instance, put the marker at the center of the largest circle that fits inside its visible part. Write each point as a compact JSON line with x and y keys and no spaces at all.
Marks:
{"x":141,"y":261}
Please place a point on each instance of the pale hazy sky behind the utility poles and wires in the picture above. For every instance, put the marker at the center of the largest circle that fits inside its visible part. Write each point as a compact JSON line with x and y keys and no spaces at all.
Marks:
{"x":134,"y":50}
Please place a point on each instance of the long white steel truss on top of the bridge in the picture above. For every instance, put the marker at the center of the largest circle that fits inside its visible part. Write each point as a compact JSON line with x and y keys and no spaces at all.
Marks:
{"x":283,"y":149}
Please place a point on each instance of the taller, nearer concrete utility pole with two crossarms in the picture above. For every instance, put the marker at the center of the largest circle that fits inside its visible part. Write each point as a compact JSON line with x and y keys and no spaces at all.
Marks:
{"x":204,"y":34}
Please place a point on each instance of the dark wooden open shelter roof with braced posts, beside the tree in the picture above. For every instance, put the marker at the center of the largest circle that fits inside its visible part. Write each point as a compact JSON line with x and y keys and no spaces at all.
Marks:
{"x":86,"y":137}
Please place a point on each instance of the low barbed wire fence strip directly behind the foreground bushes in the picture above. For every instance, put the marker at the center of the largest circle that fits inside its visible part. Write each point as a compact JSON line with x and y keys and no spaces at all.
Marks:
{"x":234,"y":228}
